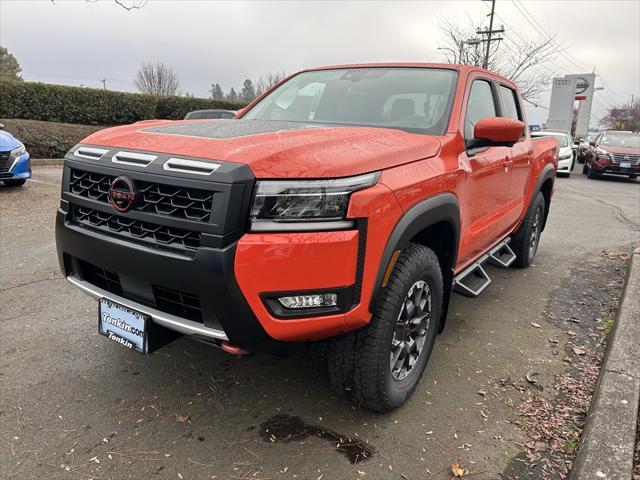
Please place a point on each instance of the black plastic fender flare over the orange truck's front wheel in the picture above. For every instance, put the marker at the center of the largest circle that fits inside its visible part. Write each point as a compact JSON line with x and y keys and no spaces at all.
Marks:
{"x":441,"y":207}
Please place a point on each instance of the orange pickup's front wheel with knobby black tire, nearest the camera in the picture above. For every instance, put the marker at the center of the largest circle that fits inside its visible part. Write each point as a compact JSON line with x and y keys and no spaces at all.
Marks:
{"x":381,"y":364}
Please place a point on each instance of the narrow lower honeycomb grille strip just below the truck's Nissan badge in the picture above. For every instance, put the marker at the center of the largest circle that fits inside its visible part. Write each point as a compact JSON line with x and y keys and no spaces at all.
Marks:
{"x":131,"y":229}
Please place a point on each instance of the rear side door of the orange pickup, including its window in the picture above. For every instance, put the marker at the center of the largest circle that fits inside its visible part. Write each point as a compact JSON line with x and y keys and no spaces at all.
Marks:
{"x":521,"y":154}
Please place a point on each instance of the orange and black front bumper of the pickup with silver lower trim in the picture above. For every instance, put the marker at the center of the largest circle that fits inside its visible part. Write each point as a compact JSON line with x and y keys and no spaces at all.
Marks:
{"x":229,"y":282}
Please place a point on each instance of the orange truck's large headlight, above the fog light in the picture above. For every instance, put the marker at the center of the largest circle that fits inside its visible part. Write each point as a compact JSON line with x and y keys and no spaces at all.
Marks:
{"x":286,"y":205}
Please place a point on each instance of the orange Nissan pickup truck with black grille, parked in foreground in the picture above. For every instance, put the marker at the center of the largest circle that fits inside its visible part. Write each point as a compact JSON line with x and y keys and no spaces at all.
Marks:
{"x":344,"y":205}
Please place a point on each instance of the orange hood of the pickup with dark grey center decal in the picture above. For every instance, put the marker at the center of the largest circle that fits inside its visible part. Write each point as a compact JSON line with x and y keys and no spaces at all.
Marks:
{"x":275,"y":149}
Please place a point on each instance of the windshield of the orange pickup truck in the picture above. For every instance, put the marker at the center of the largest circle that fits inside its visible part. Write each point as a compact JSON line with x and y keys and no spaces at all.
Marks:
{"x":412,"y":99}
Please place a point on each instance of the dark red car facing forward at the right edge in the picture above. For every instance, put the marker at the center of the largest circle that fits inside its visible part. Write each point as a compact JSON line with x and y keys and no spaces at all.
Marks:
{"x":614,"y":152}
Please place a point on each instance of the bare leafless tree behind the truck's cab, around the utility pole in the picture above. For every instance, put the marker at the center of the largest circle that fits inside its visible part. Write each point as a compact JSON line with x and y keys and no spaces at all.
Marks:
{"x":518,"y":63}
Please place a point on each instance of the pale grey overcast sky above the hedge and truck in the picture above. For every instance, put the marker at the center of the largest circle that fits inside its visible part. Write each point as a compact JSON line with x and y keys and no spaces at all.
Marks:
{"x":80,"y":42}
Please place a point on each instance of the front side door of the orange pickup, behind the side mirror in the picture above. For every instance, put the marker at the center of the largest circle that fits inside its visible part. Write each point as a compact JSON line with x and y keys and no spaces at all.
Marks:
{"x":489,"y":172}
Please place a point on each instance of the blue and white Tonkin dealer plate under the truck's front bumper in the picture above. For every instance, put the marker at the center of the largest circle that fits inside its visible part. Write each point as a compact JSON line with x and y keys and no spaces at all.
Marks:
{"x":123,"y":325}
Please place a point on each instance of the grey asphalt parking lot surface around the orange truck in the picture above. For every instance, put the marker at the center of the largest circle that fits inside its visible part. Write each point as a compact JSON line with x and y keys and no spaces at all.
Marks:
{"x":74,"y":405}
